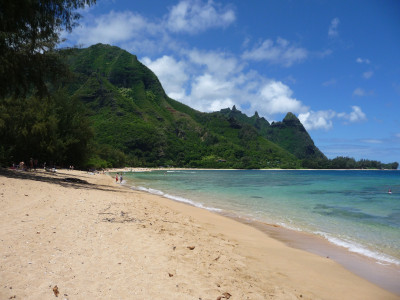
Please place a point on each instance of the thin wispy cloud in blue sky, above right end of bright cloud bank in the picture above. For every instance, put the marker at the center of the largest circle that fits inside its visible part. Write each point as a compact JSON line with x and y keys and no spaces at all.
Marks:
{"x":280,"y":52}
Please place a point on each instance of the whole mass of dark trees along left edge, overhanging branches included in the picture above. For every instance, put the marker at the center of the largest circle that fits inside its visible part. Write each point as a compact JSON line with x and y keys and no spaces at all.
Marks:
{"x":37,"y":119}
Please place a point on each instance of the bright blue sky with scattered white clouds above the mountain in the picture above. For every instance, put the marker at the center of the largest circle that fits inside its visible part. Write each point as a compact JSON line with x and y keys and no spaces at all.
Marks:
{"x":334,"y":64}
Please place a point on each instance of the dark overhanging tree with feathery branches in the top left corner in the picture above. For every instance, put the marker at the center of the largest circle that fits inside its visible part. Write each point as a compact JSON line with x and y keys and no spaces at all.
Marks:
{"x":29,"y":32}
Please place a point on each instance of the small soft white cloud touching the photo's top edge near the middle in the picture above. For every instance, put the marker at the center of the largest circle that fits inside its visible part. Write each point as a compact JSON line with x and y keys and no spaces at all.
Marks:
{"x":193,"y":16}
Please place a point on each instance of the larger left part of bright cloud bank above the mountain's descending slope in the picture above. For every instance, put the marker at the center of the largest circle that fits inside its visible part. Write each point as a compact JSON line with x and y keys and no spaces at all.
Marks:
{"x":206,"y":81}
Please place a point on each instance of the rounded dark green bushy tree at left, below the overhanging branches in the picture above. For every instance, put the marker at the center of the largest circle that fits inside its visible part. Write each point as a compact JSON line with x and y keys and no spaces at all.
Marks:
{"x":53,"y":130}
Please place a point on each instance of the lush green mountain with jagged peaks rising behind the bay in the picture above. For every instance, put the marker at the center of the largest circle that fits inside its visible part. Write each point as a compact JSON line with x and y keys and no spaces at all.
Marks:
{"x":136,"y":123}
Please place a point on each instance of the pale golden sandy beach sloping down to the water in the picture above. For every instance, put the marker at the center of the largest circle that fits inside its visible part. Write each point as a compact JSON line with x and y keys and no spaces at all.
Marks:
{"x":77,"y":235}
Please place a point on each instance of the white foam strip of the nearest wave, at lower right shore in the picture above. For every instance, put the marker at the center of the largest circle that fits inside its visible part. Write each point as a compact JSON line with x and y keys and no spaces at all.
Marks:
{"x":356,"y":248}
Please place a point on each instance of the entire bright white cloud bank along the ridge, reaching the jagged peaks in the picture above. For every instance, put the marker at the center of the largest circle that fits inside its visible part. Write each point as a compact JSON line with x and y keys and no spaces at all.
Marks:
{"x":210,"y":81}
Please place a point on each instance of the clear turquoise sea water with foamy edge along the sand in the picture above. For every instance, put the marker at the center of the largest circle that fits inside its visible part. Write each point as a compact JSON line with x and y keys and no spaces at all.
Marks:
{"x":352,"y":209}
